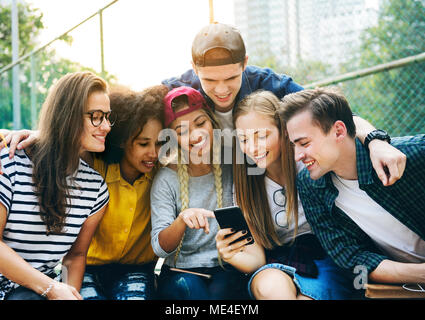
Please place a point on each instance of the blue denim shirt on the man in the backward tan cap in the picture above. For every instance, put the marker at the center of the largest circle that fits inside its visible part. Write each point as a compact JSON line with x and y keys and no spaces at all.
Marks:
{"x":253,"y":79}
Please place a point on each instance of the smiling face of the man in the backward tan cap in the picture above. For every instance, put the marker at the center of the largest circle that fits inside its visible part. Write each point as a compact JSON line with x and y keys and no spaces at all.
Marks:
{"x":221,"y":83}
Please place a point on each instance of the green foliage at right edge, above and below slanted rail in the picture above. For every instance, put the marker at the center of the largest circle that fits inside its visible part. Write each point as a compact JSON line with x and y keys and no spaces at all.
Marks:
{"x":393,"y":100}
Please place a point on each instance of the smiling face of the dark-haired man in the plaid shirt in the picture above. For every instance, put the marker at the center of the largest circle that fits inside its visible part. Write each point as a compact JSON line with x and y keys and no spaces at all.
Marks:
{"x":317,"y":150}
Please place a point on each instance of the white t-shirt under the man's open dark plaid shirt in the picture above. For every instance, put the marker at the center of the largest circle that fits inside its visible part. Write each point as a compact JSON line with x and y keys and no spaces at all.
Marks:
{"x":389,"y":234}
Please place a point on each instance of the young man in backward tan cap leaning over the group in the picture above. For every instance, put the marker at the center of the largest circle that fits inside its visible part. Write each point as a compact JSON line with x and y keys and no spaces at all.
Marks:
{"x":221,"y":73}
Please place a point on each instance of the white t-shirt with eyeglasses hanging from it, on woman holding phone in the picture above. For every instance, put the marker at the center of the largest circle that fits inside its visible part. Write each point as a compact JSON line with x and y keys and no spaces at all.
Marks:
{"x":277,"y":203}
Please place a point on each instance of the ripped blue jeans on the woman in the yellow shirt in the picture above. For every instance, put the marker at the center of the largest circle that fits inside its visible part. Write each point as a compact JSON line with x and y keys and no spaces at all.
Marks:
{"x":119,"y":282}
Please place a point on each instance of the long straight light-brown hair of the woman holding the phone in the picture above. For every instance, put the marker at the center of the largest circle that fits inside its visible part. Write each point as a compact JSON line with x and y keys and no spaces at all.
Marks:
{"x":250,"y":190}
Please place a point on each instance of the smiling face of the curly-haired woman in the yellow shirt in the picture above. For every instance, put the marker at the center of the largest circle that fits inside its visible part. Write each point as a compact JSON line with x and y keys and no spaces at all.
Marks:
{"x":141,"y":152}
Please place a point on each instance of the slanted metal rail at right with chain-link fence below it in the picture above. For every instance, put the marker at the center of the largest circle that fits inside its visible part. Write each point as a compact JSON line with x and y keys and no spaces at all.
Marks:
{"x":370,"y":92}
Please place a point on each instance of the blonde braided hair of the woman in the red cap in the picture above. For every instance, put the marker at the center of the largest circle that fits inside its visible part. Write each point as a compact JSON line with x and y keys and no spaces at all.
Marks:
{"x":182,"y":167}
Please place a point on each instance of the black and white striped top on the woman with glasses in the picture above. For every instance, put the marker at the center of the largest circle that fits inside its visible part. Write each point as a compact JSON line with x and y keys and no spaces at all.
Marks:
{"x":25,"y":232}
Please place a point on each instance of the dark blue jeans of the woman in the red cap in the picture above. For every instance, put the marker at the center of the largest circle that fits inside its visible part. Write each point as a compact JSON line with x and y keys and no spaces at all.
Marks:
{"x":223,"y":285}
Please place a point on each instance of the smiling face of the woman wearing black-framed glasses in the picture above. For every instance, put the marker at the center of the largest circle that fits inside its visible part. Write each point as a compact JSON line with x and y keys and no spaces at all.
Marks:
{"x":93,"y":138}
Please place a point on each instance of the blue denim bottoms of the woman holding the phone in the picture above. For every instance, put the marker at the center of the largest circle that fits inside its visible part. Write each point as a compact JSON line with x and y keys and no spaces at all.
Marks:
{"x":332,"y":282}
